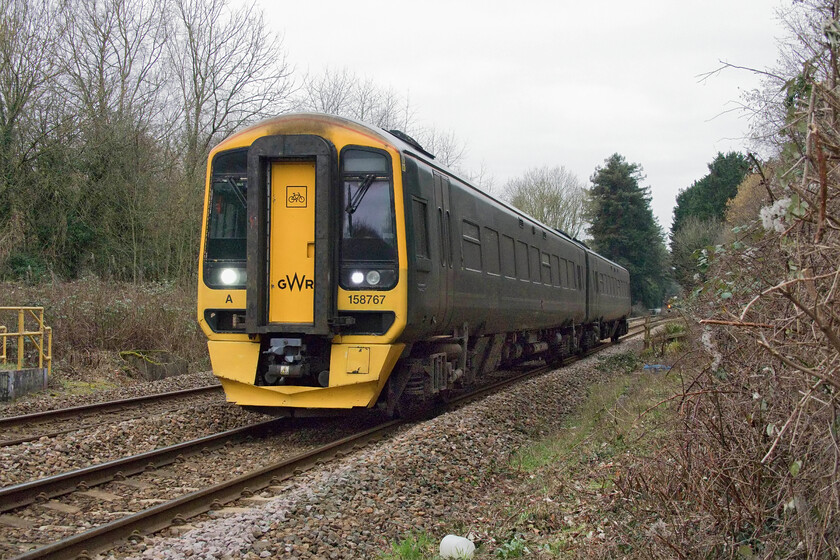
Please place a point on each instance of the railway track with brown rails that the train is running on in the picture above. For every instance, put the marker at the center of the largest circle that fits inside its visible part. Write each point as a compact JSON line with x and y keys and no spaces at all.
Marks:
{"x":200,"y":500}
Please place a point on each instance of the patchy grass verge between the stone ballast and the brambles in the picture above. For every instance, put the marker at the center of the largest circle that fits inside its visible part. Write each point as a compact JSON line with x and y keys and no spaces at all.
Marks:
{"x":573,"y":473}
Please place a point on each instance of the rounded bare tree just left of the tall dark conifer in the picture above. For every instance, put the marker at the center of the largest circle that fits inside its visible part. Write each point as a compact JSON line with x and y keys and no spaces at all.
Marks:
{"x":553,"y":195}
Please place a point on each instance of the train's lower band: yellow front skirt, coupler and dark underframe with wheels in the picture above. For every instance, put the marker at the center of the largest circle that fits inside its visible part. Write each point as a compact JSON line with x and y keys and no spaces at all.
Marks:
{"x":310,"y":372}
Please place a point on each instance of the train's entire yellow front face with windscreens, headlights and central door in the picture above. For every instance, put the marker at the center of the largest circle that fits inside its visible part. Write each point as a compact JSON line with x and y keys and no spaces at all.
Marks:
{"x":302,"y":291}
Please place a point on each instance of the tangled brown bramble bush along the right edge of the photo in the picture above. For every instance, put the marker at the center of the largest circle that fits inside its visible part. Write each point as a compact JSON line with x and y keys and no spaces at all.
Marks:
{"x":752,"y":468}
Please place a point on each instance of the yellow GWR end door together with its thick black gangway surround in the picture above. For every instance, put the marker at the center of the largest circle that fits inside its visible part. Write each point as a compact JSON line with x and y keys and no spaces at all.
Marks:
{"x":291,"y":235}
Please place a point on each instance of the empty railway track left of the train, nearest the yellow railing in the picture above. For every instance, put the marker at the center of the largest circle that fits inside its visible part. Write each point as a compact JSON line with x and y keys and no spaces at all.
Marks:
{"x":30,"y":427}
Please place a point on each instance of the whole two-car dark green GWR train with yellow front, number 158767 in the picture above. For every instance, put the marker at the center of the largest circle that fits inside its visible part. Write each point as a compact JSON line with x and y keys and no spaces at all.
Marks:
{"x":341,"y":267}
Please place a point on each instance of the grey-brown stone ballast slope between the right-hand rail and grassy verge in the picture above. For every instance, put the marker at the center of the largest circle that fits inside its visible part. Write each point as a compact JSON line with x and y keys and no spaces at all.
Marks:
{"x":437,"y":477}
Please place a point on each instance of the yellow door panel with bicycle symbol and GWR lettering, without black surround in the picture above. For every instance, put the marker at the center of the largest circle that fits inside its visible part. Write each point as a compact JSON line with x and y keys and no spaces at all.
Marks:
{"x":292,"y":243}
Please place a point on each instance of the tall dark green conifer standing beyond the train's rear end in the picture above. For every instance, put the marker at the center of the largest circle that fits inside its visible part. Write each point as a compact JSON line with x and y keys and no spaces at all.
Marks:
{"x":624,"y":230}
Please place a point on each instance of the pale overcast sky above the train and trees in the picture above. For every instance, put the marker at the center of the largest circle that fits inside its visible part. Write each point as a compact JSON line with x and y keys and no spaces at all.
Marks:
{"x":532,"y":83}
